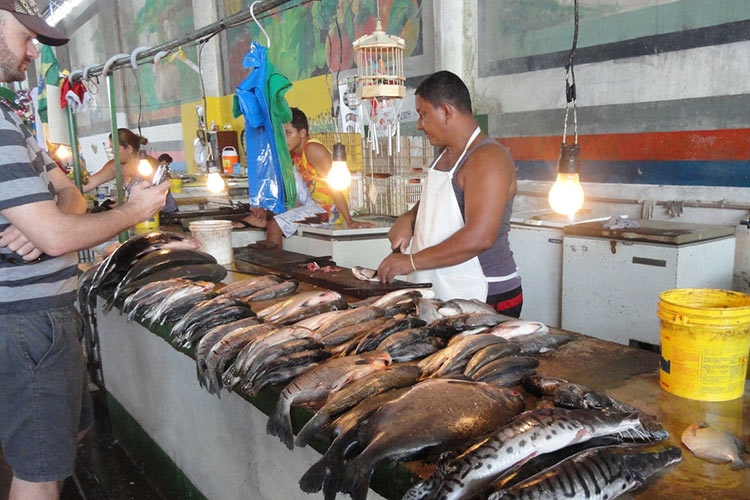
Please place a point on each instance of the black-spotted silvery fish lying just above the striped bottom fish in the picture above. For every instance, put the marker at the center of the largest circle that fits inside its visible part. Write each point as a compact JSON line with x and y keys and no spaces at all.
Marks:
{"x":528,"y":435}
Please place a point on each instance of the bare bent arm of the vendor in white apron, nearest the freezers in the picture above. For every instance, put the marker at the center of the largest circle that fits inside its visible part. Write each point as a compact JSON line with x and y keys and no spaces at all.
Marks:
{"x":488,"y":180}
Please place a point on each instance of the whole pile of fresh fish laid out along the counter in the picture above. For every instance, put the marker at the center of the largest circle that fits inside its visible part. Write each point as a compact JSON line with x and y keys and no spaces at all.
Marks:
{"x":392,"y":378}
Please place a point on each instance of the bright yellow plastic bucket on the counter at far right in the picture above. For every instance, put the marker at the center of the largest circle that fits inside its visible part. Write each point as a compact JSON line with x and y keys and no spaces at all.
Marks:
{"x":705,"y":339}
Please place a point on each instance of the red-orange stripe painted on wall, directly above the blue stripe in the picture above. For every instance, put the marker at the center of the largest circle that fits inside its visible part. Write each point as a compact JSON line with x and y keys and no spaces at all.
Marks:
{"x":703,"y":145}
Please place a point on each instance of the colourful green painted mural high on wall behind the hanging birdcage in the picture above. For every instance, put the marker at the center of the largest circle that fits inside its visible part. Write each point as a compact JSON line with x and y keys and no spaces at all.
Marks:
{"x":315,"y":36}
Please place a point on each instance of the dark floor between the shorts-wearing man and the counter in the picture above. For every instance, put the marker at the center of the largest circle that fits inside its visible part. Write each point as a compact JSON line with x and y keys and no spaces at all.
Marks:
{"x":103,"y":470}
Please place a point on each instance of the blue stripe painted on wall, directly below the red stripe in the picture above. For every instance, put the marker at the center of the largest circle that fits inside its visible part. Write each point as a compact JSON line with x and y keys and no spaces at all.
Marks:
{"x":673,"y":173}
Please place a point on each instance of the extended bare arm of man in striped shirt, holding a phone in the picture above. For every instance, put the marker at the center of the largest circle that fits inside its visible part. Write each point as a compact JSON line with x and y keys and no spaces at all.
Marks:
{"x":55,"y":232}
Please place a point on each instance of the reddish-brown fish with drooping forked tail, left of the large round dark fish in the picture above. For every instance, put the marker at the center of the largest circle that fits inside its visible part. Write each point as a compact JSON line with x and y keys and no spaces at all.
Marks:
{"x":317,"y":383}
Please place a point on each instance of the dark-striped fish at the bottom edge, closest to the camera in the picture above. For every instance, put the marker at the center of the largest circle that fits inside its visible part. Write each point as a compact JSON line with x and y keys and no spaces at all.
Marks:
{"x":596,"y":474}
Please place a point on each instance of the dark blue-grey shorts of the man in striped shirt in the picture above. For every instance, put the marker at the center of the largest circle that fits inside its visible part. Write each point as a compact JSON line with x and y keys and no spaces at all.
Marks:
{"x":44,"y":392}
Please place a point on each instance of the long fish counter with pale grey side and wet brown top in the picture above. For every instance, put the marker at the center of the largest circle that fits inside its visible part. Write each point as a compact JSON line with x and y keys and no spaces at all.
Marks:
{"x":197,"y":445}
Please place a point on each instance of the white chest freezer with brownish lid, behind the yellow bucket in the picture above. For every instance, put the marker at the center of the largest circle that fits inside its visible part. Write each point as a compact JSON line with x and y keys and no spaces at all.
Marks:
{"x":612,"y":278}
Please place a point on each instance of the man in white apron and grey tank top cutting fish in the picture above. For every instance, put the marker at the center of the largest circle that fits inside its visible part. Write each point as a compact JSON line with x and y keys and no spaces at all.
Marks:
{"x":441,"y":239}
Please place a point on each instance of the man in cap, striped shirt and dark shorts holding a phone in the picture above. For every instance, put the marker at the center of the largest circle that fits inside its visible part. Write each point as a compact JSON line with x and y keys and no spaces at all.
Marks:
{"x":44,"y":401}
